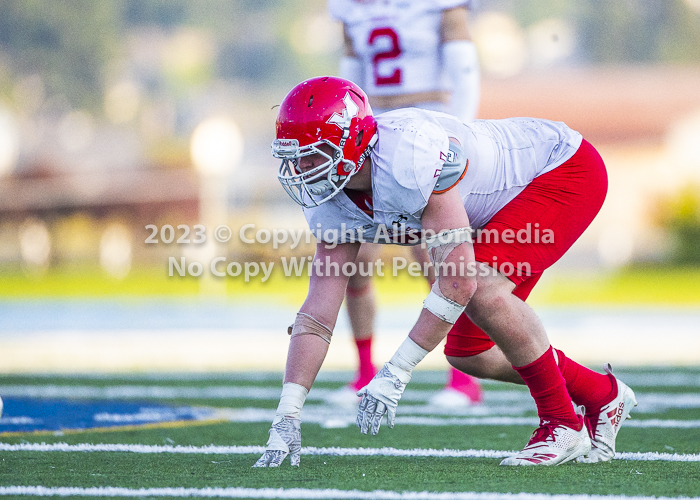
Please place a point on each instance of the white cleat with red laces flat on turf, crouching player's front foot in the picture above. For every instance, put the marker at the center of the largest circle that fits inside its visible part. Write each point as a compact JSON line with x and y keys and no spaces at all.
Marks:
{"x":553,"y":444}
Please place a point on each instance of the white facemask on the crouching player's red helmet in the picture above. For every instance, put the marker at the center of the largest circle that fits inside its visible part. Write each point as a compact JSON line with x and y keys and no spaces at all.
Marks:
{"x":319,"y":184}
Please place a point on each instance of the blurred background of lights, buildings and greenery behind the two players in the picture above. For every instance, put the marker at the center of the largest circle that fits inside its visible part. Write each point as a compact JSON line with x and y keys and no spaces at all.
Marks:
{"x":122,"y":114}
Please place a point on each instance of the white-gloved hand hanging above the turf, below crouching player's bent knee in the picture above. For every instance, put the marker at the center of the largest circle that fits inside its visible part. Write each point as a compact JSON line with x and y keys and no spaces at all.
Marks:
{"x":381,"y":396}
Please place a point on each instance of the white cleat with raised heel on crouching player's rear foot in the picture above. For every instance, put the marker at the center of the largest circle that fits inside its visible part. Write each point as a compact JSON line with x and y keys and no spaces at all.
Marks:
{"x":604,"y":424}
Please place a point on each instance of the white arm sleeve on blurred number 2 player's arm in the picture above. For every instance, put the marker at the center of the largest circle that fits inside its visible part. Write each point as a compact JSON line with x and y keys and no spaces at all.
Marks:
{"x":461,"y":64}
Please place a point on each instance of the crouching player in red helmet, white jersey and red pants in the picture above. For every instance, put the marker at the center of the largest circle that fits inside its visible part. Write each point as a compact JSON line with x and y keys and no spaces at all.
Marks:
{"x":442,"y":178}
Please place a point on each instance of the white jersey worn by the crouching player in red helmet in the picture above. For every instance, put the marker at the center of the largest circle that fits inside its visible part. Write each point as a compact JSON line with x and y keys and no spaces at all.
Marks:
{"x":503,"y":156}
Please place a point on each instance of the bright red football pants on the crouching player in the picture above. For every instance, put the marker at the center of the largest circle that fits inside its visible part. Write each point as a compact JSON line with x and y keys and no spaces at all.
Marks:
{"x":564,"y":201}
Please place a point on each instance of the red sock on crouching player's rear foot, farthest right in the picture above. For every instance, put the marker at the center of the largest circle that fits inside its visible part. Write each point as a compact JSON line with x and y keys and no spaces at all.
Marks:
{"x":586,"y":387}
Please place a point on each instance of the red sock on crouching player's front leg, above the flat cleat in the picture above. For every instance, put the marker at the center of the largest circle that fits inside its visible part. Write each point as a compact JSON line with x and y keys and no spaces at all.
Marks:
{"x":548,"y":388}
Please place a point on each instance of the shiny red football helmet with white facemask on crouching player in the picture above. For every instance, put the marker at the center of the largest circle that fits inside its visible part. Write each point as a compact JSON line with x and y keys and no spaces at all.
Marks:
{"x":323,"y":110}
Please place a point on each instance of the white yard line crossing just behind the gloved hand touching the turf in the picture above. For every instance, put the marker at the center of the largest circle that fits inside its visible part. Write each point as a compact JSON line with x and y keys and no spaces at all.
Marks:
{"x":309,"y":450}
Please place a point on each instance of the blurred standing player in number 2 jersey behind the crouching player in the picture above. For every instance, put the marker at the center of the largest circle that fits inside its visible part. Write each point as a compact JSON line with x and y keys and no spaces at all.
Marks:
{"x":408,"y":53}
